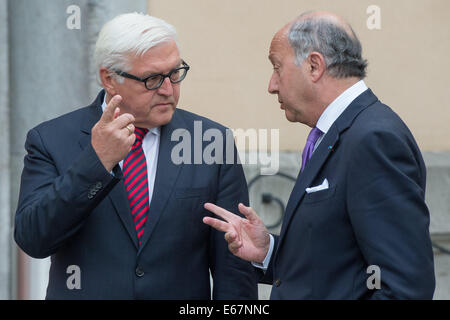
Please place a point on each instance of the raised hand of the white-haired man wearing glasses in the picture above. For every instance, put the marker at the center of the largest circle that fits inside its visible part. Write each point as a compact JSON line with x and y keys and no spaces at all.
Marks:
{"x":113,"y":135}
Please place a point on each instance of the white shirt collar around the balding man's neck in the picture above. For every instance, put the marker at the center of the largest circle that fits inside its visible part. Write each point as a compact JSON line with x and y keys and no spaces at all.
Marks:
{"x":335,"y":109}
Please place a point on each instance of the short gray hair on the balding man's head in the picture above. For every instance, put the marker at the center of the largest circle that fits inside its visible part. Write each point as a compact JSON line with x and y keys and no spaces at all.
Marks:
{"x":342,"y":51}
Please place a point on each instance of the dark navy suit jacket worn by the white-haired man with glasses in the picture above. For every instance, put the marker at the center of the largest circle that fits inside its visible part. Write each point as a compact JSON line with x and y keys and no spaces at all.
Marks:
{"x":72,"y":209}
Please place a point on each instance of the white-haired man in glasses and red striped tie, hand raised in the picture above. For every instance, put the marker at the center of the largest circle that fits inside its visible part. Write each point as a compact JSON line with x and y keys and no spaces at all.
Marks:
{"x":101,"y":195}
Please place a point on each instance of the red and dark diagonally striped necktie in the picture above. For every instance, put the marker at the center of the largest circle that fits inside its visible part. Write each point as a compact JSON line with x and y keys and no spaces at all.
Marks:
{"x":136,"y":182}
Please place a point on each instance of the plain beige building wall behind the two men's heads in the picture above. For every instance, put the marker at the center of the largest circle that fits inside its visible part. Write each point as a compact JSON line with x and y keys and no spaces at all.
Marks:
{"x":226,"y":43}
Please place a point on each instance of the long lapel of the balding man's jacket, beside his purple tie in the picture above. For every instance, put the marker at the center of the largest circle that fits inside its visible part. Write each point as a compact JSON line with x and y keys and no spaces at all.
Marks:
{"x":328,"y":145}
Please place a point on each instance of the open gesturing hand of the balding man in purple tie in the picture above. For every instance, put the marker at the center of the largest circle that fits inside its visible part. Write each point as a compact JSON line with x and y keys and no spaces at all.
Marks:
{"x":247,"y":238}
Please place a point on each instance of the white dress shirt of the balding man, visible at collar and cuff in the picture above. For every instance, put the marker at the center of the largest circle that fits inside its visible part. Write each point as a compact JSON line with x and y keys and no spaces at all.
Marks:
{"x":326,"y":120}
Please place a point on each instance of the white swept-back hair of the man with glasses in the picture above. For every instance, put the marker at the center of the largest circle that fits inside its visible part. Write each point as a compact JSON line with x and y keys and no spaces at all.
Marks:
{"x":126,"y":34}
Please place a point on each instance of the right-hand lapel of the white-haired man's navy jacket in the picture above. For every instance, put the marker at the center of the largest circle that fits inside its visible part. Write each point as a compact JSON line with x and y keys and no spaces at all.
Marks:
{"x":166,"y":177}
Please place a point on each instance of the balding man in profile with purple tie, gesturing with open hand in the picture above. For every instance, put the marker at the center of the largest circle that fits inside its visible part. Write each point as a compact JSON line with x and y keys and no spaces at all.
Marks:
{"x":356,"y":224}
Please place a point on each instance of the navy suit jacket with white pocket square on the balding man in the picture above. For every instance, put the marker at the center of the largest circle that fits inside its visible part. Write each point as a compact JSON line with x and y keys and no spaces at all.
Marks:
{"x":373,"y":213}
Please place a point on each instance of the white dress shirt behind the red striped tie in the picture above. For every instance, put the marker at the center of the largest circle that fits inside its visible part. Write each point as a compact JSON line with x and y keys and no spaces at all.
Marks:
{"x":150,"y":145}
